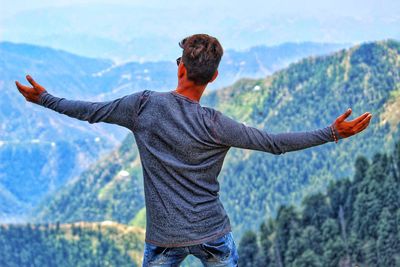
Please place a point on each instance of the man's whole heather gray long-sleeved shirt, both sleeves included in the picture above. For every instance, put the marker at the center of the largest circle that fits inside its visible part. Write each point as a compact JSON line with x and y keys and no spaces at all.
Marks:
{"x":182,"y":146}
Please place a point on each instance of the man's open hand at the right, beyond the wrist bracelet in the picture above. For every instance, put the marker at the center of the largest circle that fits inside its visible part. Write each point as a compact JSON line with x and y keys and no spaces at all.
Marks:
{"x":348,"y":128}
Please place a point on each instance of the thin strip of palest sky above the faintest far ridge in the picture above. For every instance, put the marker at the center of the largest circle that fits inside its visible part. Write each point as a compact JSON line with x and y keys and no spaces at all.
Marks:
{"x":362,"y":9}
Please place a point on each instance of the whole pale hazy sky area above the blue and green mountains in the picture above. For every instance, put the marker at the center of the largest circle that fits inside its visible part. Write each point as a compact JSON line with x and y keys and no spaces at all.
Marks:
{"x":150,"y":28}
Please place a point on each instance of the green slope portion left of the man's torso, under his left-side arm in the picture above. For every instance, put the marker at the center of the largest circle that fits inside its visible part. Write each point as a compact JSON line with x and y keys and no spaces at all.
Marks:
{"x":113,"y":182}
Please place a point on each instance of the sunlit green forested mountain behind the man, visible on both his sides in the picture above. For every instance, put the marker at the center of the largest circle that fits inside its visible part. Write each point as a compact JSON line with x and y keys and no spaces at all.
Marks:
{"x":305,"y":96}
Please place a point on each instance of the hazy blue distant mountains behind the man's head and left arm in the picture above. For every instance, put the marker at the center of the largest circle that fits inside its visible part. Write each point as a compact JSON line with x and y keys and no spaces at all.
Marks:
{"x":41,"y":150}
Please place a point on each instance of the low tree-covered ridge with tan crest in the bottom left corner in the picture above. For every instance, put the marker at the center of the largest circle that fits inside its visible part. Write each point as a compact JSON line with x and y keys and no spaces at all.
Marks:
{"x":79,"y":244}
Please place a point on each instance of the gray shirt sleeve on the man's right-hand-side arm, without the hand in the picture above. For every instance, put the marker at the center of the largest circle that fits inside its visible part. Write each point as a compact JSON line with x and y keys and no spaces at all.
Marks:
{"x":231,"y":133}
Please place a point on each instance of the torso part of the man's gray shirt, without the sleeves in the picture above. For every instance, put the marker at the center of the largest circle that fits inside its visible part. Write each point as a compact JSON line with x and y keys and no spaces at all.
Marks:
{"x":181,"y":162}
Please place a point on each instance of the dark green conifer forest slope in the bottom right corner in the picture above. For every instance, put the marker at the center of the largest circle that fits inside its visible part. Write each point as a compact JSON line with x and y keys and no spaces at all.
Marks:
{"x":356,"y":222}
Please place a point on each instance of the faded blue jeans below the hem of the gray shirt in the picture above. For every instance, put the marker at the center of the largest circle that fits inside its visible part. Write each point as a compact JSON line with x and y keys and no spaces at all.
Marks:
{"x":220,"y":252}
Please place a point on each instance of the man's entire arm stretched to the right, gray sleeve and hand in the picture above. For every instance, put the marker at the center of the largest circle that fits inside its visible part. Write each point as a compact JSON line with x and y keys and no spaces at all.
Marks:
{"x":228,"y":132}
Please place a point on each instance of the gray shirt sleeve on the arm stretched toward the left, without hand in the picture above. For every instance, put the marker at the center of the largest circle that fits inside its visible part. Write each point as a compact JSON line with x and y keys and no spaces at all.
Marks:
{"x":121,"y":111}
